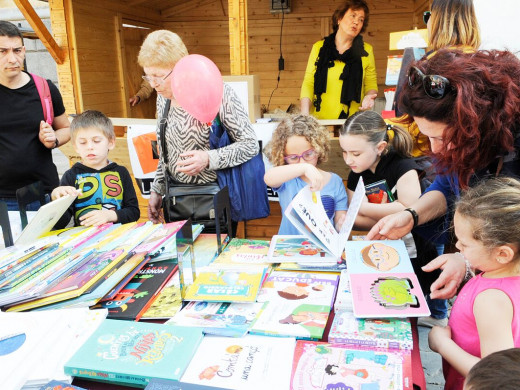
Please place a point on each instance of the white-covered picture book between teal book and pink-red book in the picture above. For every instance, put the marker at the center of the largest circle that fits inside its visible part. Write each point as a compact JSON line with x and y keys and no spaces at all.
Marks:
{"x":249,"y":362}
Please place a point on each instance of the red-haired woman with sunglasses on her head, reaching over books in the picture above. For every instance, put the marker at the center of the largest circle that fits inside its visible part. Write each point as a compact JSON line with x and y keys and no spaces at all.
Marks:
{"x":468,"y":105}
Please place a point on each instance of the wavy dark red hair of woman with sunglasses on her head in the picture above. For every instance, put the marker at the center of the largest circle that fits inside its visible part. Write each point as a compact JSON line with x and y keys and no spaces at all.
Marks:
{"x":480,"y":111}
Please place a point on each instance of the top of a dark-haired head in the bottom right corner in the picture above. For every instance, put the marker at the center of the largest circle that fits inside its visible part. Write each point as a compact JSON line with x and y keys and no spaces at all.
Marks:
{"x":497,"y":371}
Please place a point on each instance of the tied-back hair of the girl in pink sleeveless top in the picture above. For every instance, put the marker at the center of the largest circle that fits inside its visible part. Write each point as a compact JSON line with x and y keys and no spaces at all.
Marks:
{"x":493,"y":209}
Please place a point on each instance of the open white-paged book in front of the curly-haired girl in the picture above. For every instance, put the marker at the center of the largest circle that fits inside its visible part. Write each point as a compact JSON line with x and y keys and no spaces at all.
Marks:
{"x":319,"y":242}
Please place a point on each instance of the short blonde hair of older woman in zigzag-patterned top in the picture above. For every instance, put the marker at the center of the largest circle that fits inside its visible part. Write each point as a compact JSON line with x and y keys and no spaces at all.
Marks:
{"x":161,"y":49}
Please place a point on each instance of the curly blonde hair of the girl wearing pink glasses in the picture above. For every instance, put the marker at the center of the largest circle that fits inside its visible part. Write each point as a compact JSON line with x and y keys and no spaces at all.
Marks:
{"x":298,"y":125}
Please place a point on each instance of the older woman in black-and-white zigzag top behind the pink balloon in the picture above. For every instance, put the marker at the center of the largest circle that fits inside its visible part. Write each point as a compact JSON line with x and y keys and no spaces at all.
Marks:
{"x":190,"y":160}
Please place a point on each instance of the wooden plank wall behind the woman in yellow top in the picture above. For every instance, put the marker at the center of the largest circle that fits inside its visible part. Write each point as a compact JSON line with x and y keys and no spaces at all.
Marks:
{"x":204,"y":29}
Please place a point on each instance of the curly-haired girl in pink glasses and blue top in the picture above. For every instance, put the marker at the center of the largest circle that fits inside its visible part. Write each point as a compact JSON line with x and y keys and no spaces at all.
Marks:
{"x":297,"y":146}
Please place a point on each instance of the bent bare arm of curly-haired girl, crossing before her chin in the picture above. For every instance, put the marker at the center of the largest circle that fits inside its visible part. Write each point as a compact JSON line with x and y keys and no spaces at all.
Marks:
{"x":276,"y":176}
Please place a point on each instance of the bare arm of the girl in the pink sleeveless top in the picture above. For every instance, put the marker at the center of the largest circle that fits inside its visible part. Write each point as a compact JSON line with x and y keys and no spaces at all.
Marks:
{"x":493,"y":313}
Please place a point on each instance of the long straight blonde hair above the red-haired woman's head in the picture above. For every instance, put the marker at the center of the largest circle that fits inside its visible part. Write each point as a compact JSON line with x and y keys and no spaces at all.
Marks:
{"x":453,"y":23}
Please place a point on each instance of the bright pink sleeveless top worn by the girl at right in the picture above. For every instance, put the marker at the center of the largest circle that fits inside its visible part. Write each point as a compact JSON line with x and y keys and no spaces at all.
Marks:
{"x":462,"y":321}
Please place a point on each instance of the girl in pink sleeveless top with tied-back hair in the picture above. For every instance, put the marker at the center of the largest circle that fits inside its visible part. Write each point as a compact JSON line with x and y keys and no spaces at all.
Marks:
{"x":485,"y":317}
